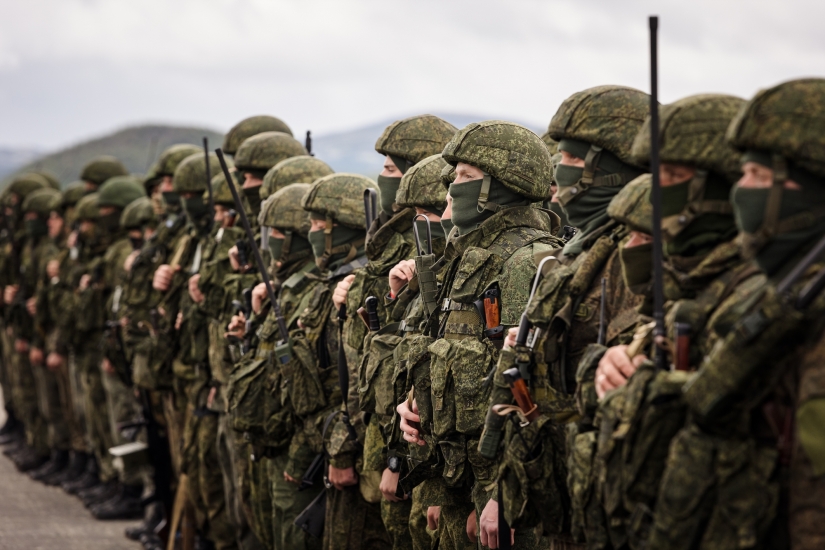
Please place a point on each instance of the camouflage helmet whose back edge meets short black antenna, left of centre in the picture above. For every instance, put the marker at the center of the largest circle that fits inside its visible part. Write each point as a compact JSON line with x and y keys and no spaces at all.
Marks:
{"x":340,"y":197}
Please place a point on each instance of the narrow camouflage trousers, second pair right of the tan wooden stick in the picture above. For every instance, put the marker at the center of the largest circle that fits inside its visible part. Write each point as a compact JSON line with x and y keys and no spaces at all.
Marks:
{"x":233,"y":471}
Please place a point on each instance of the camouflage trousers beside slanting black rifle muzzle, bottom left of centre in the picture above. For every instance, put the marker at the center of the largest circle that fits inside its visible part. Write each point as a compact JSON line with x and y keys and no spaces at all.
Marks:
{"x":287,"y":503}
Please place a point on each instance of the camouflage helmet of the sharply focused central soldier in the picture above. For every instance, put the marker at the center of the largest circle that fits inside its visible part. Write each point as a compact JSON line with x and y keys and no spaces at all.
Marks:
{"x":512,"y":154}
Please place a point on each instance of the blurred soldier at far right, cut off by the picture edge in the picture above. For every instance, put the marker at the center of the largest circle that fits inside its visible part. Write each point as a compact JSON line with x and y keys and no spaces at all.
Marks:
{"x":746,"y":469}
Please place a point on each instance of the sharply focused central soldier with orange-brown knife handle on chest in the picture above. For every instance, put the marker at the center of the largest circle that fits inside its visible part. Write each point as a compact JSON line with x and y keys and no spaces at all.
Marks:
{"x":491,"y":261}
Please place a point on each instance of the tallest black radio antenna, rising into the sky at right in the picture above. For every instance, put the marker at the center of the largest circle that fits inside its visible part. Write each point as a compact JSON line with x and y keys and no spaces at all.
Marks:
{"x":660,"y":358}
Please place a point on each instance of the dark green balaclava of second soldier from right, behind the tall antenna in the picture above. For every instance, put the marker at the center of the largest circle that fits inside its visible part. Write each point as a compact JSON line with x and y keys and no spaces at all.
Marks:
{"x":707,"y":229}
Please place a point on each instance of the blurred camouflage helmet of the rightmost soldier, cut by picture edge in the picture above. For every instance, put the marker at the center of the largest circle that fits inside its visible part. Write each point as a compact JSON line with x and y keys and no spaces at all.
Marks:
{"x":787,"y":120}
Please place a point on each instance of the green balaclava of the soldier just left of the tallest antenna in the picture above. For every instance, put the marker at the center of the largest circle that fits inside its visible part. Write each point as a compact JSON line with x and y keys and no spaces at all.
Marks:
{"x":585,"y":203}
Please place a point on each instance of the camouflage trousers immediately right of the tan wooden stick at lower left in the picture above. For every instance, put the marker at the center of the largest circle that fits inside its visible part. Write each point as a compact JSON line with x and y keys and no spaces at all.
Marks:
{"x":200,"y":464}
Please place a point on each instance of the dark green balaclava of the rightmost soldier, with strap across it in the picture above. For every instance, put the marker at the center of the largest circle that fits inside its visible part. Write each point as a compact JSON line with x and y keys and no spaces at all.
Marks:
{"x":799,"y":221}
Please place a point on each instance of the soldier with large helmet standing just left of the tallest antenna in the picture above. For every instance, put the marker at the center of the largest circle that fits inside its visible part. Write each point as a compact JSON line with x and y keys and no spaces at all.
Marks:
{"x":597,"y":125}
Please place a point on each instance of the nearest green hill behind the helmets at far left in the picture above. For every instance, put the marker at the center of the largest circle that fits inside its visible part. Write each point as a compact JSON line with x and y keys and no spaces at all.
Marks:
{"x":137,"y":147}
